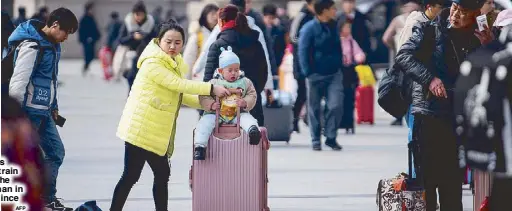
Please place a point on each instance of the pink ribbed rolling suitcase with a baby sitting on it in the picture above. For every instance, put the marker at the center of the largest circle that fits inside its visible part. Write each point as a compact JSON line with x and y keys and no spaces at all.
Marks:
{"x":233,"y":177}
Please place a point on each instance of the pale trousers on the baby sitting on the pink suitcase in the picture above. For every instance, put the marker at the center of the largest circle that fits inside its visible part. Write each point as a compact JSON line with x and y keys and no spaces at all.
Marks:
{"x":206,"y":125}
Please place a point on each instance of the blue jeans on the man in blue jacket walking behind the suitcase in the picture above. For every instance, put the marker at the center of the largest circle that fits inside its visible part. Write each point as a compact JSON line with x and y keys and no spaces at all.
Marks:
{"x":329,"y":87}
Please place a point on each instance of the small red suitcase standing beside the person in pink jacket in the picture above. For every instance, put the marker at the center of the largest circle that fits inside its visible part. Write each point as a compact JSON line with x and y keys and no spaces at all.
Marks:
{"x":364,"y":105}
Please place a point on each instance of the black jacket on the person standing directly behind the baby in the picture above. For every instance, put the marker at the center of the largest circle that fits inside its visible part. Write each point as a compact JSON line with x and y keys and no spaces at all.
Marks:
{"x":250,"y":51}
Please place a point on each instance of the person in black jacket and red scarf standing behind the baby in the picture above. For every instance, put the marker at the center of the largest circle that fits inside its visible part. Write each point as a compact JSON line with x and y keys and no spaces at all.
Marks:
{"x":235,"y":32}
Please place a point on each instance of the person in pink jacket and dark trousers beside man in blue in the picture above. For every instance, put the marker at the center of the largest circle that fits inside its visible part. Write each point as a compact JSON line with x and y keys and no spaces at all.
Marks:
{"x":352,"y":56}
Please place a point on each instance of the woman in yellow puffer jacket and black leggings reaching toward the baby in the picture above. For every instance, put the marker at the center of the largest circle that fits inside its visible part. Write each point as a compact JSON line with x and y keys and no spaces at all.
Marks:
{"x":148,"y":123}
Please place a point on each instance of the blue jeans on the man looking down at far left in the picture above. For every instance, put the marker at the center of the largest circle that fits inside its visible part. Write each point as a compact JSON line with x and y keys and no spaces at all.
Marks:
{"x":53,"y":150}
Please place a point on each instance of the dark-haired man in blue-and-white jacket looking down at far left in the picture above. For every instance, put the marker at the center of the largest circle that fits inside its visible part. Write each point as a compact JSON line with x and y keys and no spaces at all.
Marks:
{"x":34,"y":85}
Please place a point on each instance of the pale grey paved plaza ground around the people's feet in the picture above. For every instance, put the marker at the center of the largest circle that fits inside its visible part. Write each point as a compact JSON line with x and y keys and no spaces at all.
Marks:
{"x":299,"y":178}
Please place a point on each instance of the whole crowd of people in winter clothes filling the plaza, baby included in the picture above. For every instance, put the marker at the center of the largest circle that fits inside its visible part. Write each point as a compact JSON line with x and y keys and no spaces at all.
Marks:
{"x":235,"y":50}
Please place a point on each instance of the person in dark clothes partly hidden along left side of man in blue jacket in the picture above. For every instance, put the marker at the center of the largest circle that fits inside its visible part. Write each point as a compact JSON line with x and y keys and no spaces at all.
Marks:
{"x":306,"y":14}
